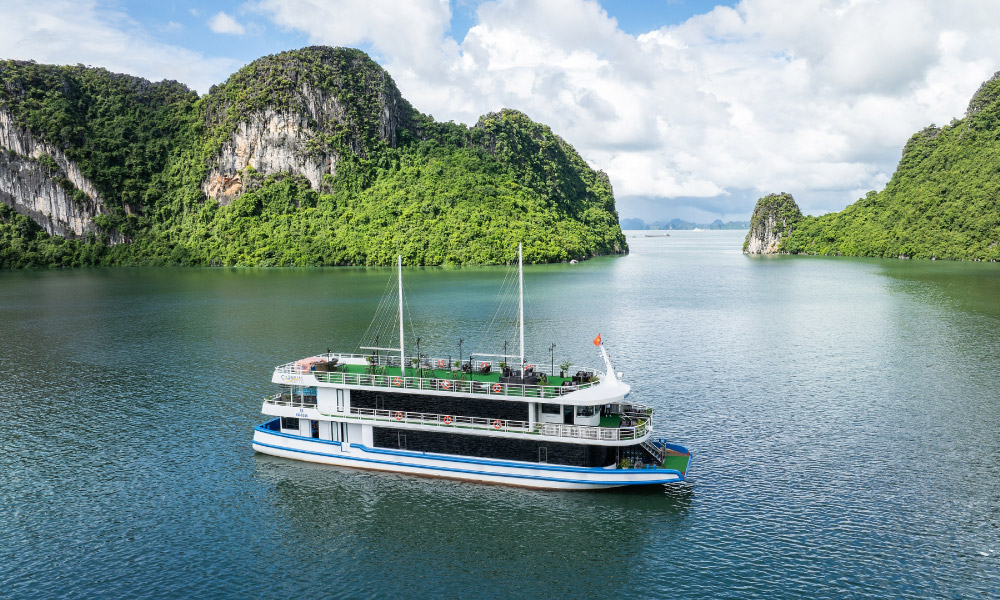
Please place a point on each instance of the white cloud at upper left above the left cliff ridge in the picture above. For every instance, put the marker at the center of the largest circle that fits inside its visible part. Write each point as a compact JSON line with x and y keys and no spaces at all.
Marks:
{"x":71,"y":32}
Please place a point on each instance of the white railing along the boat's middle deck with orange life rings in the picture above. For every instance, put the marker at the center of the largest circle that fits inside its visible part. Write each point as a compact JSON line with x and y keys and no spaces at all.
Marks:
{"x":588,"y":432}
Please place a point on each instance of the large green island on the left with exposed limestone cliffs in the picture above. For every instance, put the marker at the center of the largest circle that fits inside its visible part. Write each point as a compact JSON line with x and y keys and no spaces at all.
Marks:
{"x":305,"y":158}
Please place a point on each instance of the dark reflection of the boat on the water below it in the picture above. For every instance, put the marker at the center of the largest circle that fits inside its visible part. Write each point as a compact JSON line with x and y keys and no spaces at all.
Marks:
{"x":512,"y":540}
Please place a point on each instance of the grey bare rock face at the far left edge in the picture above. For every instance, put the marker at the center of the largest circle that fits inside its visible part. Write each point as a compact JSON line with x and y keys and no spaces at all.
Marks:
{"x":33,"y":188}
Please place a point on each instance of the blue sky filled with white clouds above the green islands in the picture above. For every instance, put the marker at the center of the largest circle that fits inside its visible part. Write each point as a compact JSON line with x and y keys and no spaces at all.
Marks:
{"x":694,"y":109}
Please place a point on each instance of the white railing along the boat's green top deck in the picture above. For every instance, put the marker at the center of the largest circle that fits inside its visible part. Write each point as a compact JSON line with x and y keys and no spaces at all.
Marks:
{"x":461,"y":386}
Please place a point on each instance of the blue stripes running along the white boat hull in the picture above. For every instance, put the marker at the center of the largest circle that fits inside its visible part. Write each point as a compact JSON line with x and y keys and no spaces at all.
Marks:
{"x":675,"y":475}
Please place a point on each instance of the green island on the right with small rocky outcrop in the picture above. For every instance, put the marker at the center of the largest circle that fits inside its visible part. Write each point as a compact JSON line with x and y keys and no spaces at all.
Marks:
{"x":941,"y":203}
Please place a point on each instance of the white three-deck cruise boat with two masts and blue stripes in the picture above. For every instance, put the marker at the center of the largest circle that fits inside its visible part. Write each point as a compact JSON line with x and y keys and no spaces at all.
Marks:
{"x":490,"y":419}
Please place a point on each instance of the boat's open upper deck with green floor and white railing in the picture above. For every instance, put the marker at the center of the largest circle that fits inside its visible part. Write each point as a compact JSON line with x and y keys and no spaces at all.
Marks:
{"x":436,"y":376}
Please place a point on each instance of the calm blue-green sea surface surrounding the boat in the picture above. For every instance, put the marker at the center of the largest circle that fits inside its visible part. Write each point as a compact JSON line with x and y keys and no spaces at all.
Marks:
{"x":844,"y":417}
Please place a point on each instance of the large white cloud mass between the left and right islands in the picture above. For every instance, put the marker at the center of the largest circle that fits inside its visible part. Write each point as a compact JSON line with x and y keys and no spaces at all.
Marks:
{"x":815,"y":97}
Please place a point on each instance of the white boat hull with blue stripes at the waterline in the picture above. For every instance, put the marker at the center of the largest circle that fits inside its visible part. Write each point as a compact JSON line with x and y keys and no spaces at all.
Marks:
{"x":532,"y":475}
